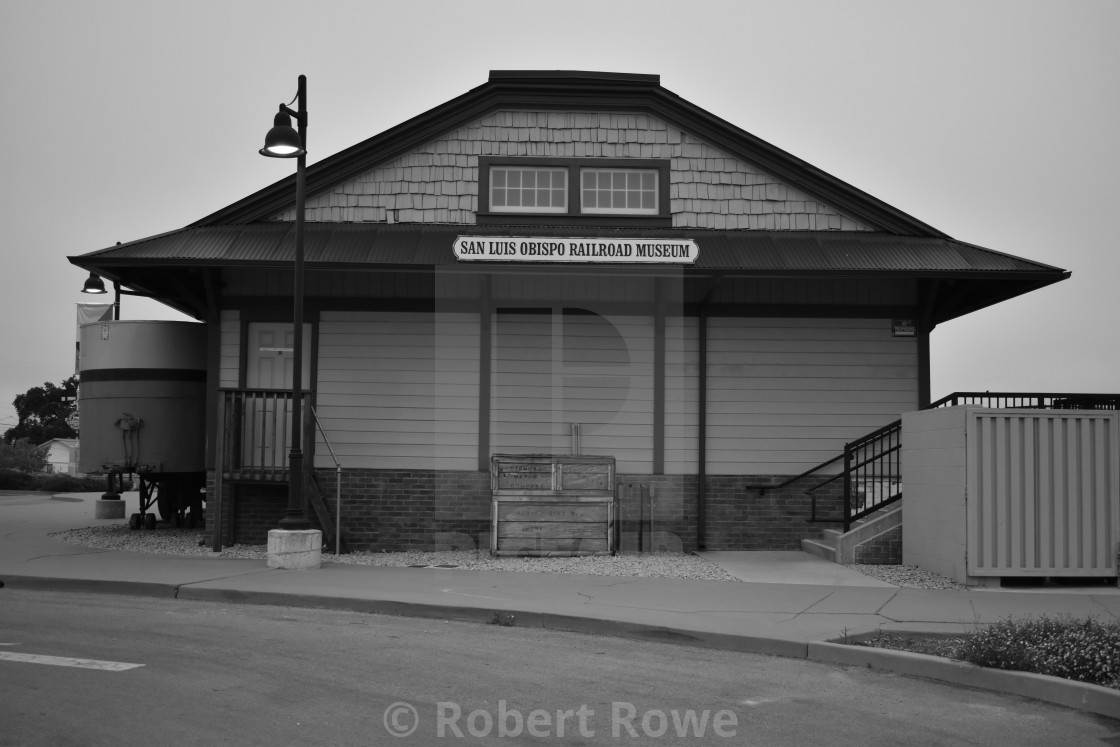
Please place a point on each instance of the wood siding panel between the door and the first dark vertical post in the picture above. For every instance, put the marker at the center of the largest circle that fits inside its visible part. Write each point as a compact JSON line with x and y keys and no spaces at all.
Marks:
{"x":399,"y":390}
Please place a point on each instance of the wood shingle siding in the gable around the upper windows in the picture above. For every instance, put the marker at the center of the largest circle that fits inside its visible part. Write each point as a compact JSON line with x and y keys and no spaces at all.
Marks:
{"x":438,"y":183}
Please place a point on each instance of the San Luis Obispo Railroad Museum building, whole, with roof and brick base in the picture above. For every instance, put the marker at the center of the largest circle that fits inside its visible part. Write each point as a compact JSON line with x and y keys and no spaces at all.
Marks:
{"x":561,"y":265}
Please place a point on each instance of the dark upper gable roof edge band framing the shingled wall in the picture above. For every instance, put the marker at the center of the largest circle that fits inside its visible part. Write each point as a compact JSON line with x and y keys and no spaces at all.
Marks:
{"x":574,"y":90}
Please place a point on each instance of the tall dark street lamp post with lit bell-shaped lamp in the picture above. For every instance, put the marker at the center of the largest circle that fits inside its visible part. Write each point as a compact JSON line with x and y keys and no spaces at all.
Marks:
{"x":284,"y":143}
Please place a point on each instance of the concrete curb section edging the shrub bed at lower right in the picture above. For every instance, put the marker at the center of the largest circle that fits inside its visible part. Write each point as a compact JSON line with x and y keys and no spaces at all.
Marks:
{"x":1070,"y":694}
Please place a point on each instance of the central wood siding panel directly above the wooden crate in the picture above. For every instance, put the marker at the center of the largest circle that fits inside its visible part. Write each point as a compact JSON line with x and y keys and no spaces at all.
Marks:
{"x":553,"y":370}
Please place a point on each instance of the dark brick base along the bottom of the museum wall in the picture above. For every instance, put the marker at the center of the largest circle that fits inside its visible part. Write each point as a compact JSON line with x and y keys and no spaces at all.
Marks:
{"x":428,"y":510}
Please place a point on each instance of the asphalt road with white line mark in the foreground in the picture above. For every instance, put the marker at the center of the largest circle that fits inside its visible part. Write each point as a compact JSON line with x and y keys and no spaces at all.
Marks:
{"x":245,"y":675}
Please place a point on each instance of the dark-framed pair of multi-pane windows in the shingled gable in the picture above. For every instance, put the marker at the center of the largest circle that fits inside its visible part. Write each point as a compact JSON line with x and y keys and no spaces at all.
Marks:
{"x":623,"y":192}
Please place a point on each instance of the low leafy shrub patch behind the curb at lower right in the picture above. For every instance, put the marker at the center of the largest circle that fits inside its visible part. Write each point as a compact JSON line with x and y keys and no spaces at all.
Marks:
{"x":1084,"y":650}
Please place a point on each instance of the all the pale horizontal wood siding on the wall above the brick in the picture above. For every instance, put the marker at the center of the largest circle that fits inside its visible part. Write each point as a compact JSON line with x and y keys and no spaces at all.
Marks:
{"x":400,"y":390}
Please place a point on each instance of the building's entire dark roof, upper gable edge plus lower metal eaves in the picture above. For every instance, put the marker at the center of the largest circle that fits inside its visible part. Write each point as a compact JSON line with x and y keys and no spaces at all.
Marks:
{"x":178,"y":267}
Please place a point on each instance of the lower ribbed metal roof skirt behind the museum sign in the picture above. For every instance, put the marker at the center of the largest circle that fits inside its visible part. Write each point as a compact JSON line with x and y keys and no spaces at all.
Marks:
{"x":414,"y":246}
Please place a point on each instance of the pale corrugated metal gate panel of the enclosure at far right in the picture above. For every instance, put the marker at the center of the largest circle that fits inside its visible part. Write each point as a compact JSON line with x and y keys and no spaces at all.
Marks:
{"x":1043,"y":493}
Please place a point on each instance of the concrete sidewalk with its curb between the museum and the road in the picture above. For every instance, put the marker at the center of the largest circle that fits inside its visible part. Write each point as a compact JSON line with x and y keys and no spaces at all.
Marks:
{"x":788,"y":604}
